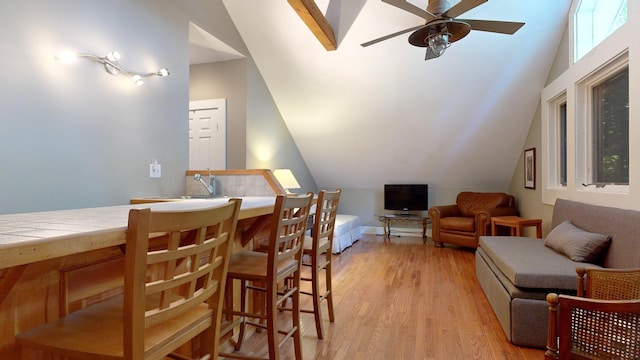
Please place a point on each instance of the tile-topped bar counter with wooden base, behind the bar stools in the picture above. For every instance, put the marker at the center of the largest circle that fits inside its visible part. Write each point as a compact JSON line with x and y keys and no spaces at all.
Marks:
{"x":39,"y":251}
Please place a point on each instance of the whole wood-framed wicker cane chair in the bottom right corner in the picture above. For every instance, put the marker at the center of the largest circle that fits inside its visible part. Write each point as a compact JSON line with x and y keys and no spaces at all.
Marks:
{"x":602,"y":322}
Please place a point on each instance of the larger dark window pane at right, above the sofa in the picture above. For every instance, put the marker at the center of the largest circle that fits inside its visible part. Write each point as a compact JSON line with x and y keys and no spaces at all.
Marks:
{"x":611,"y":130}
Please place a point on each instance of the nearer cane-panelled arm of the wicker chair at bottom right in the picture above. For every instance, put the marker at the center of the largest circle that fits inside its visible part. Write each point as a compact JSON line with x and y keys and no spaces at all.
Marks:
{"x":609,"y":326}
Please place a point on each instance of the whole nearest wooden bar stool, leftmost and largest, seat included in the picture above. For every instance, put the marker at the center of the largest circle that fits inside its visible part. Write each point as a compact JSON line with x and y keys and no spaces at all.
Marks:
{"x":160,"y":310}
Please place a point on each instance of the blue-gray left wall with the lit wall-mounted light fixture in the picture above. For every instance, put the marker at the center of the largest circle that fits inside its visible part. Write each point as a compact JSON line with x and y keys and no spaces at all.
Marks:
{"x":74,"y":136}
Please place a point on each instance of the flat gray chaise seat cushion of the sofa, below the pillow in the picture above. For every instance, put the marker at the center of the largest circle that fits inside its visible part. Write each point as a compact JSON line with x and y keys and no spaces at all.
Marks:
{"x":527,"y":263}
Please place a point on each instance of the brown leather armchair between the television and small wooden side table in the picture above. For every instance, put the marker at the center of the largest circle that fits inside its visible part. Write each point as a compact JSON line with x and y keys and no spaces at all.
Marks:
{"x":463,"y":223}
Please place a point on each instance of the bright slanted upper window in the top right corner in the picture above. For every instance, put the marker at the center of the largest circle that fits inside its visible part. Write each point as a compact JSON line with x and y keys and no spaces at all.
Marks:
{"x":594,"y":21}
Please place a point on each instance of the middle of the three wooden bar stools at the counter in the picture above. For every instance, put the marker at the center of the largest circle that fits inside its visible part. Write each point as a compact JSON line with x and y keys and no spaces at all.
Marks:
{"x":282,"y":260}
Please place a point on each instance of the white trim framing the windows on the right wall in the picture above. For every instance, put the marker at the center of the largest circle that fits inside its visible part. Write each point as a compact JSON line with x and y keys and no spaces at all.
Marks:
{"x":618,"y":45}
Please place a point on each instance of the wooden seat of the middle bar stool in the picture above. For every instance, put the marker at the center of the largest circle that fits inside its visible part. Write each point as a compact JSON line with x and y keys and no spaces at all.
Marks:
{"x":252,"y":266}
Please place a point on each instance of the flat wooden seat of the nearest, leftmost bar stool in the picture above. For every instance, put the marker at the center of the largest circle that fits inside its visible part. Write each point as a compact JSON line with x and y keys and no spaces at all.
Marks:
{"x":98,"y":330}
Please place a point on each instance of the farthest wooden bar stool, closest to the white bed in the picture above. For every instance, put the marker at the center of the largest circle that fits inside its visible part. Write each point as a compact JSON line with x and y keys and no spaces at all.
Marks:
{"x":318,"y":248}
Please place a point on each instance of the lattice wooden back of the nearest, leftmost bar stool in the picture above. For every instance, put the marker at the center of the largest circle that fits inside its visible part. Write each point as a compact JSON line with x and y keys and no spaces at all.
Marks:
{"x":190,"y":251}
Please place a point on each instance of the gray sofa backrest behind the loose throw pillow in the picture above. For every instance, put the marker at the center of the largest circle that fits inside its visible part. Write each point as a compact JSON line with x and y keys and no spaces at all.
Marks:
{"x":623,"y":226}
